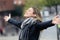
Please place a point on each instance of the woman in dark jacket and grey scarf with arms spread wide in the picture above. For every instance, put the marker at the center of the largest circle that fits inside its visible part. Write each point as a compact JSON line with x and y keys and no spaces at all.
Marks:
{"x":31,"y":27}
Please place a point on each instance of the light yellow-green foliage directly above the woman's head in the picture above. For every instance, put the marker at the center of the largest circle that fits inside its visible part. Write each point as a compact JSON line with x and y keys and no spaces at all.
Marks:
{"x":36,"y":3}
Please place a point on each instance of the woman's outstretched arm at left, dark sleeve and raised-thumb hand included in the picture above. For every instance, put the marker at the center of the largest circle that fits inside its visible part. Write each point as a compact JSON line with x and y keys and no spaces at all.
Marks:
{"x":12,"y":21}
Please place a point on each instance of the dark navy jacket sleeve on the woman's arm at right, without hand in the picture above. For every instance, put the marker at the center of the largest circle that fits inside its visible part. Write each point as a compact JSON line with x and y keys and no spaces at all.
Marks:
{"x":43,"y":25}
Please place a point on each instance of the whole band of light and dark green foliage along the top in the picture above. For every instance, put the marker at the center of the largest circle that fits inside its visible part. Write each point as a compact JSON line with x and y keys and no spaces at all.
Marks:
{"x":41,"y":3}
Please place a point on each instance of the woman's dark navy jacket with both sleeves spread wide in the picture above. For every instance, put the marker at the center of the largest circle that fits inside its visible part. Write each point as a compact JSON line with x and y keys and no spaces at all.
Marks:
{"x":31,"y":30}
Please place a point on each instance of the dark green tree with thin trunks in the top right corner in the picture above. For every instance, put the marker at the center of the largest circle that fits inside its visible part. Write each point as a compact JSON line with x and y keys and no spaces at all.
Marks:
{"x":50,"y":3}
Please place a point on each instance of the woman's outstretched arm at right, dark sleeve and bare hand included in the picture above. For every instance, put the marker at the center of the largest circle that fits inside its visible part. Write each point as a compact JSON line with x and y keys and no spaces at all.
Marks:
{"x":44,"y":25}
